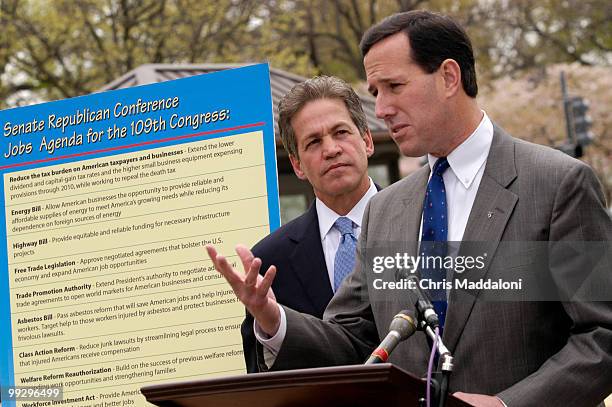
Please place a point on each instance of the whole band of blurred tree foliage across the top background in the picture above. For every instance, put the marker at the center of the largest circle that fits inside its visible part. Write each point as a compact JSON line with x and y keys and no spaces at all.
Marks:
{"x":60,"y":48}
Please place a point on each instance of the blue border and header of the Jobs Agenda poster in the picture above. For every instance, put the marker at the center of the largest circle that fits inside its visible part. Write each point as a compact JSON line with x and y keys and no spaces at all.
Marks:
{"x":244,"y":92}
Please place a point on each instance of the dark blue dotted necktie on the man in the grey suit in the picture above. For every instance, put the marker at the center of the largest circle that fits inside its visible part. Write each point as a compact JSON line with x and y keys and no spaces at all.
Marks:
{"x":434,"y":237}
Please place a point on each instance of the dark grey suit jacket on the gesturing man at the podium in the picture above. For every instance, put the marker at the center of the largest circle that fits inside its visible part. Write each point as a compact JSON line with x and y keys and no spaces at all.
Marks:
{"x":529,"y":353}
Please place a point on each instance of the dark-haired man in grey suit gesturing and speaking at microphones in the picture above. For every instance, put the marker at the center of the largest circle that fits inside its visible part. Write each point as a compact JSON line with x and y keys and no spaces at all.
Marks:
{"x":481,"y":185}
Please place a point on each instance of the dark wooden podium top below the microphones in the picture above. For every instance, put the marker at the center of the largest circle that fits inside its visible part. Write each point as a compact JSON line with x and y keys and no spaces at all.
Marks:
{"x":342,"y":386}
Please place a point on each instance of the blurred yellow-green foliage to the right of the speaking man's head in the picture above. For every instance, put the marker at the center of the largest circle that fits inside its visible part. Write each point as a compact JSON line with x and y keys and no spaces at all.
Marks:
{"x":518,"y":35}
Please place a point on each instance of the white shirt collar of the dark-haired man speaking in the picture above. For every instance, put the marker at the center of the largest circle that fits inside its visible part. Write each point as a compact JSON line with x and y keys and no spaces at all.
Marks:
{"x":469,"y":156}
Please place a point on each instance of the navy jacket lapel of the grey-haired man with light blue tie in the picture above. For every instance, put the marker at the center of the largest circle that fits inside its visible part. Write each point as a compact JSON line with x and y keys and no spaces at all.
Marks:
{"x":308,"y":261}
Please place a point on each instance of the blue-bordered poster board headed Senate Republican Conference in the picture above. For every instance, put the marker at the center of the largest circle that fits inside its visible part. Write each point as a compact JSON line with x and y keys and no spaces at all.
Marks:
{"x":108,"y":202}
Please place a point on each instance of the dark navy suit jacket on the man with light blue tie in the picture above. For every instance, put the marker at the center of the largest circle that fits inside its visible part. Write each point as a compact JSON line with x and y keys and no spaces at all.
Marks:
{"x":302,"y":281}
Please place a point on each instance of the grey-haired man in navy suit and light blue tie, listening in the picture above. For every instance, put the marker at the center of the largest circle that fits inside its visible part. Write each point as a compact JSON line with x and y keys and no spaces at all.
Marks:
{"x":324,"y":130}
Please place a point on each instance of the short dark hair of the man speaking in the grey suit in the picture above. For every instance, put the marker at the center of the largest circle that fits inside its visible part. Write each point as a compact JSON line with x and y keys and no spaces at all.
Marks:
{"x":433,"y":38}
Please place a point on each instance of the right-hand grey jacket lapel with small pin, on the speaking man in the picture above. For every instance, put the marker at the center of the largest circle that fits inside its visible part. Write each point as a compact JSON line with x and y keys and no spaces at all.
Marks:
{"x":488,"y":218}
